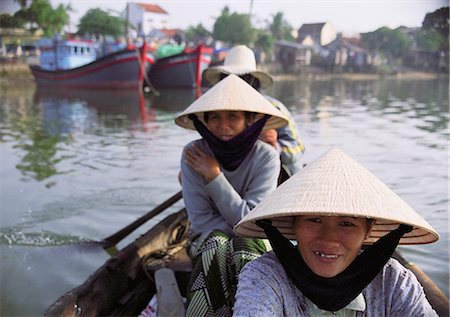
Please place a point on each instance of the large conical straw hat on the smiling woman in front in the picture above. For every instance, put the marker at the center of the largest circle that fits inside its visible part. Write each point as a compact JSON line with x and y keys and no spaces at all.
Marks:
{"x":336,"y":185}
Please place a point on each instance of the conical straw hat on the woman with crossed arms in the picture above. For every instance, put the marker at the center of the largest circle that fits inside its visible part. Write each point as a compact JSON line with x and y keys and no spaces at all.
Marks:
{"x":232,"y":93}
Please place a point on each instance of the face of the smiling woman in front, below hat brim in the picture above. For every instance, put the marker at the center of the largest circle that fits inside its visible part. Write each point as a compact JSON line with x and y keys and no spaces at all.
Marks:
{"x":328,"y":244}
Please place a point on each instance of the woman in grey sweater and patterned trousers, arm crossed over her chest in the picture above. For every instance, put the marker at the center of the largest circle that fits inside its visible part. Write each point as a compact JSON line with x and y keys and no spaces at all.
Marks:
{"x":224,"y":175}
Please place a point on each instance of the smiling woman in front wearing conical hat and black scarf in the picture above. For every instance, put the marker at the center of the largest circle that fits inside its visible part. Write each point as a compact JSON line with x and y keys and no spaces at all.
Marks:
{"x":331,"y":208}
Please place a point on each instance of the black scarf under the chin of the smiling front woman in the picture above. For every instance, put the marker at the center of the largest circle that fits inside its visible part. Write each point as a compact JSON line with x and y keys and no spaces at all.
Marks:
{"x":333,"y":294}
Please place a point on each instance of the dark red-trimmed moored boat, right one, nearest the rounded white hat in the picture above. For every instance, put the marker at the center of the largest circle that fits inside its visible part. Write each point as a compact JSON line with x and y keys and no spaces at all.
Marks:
{"x":183,"y":70}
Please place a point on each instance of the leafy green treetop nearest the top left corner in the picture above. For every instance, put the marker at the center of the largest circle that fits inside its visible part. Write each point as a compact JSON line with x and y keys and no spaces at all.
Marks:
{"x":40,"y":14}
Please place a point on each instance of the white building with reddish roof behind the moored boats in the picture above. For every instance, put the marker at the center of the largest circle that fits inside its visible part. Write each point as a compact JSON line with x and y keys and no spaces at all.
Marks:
{"x":146,"y":17}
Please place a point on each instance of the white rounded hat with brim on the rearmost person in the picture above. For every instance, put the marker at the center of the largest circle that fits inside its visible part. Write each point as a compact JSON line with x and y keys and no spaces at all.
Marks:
{"x":240,"y":60}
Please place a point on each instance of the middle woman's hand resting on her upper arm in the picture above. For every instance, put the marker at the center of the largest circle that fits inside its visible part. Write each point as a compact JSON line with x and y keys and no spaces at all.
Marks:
{"x":202,"y":163}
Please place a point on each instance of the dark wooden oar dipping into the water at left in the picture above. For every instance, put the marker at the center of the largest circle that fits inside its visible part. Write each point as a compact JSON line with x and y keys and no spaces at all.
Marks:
{"x":112,"y":240}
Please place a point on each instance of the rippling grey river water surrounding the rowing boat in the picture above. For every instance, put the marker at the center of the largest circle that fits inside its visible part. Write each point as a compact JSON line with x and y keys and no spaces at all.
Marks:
{"x":80,"y":165}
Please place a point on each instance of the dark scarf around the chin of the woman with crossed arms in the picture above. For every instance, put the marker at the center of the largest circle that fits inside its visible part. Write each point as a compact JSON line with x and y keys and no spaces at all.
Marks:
{"x":231,"y":153}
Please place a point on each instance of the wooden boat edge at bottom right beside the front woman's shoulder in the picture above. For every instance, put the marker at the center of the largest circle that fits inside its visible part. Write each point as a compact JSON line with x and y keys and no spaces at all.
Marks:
{"x":434,"y":295}
